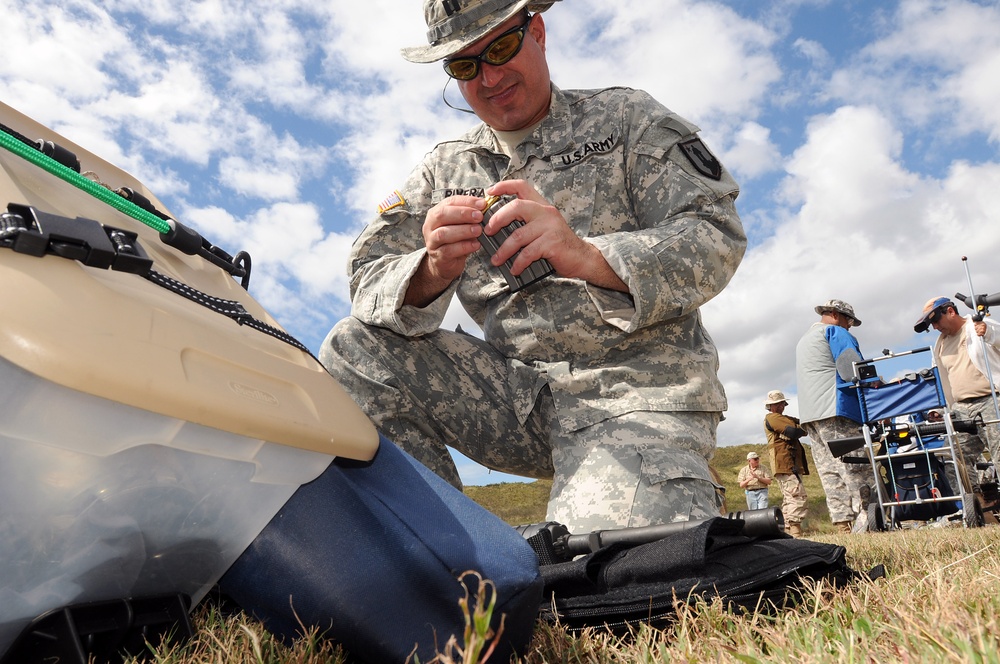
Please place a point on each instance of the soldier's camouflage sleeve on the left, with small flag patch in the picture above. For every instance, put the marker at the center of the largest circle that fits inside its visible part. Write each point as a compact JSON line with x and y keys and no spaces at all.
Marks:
{"x":387,"y":254}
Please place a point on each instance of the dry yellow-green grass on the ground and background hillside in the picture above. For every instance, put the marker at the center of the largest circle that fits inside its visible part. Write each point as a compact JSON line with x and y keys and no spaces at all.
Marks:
{"x":940,"y":602}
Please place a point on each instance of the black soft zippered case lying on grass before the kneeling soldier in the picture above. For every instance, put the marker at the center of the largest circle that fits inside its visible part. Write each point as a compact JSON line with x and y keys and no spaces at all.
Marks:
{"x":621,"y":586}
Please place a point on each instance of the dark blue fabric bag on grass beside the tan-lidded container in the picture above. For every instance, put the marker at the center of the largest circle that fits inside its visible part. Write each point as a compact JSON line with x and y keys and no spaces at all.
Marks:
{"x":371,"y":553}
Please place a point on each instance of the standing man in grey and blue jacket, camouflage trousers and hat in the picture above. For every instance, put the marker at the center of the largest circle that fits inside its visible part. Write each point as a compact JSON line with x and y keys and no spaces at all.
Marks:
{"x":829,"y":408}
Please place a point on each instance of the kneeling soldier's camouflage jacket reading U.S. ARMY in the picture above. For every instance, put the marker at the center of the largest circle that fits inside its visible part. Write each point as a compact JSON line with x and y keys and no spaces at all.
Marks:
{"x":631,"y":177}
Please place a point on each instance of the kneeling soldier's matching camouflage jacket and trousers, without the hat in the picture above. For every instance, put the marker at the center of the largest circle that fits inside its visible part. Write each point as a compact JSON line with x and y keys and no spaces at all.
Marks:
{"x":609,"y":161}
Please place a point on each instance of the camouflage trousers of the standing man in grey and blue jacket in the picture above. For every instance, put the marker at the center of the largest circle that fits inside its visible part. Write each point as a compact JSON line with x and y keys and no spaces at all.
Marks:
{"x":841,"y":481}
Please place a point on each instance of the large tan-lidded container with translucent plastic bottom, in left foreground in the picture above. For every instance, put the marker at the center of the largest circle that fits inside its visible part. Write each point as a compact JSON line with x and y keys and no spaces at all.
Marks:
{"x":145,"y":440}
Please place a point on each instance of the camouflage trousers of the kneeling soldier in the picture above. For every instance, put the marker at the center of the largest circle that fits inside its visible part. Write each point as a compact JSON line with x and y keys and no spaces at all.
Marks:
{"x":449,"y":389}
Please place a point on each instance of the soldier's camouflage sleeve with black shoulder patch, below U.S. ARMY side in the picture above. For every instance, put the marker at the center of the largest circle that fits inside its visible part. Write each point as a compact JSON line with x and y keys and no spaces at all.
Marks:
{"x":690,"y":239}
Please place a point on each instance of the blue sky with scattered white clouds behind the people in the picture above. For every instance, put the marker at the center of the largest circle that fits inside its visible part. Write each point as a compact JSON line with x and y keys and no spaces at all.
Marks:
{"x":864,"y":136}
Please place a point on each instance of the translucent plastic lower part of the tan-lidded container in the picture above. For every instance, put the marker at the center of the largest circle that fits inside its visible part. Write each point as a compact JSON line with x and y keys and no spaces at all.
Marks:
{"x":105,"y":501}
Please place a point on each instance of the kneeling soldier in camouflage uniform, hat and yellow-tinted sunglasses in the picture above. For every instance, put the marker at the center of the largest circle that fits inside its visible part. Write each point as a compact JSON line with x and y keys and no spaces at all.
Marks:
{"x":599,"y":375}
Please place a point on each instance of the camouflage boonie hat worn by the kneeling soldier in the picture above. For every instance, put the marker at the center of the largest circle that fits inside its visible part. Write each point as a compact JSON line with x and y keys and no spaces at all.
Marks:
{"x":453,"y":25}
